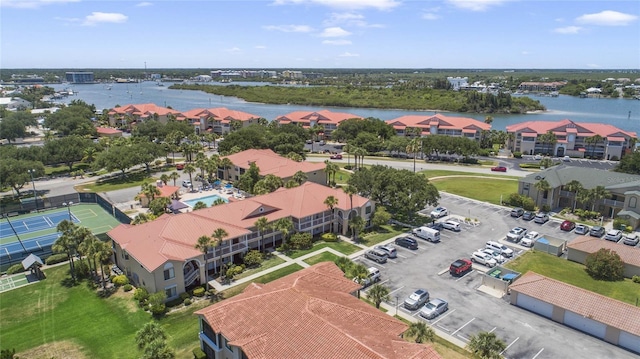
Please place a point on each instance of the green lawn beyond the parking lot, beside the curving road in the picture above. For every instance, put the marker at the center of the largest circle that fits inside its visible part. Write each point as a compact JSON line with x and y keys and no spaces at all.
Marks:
{"x":483,"y":189}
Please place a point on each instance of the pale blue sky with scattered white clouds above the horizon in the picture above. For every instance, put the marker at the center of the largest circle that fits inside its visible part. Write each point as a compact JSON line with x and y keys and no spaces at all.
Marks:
{"x":215,"y":34}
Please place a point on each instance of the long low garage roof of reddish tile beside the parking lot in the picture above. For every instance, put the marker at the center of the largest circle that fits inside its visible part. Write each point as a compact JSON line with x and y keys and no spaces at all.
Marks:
{"x":580,"y":301}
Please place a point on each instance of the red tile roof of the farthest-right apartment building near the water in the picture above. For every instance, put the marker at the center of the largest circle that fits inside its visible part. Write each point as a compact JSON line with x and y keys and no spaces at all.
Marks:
{"x":582,"y":129}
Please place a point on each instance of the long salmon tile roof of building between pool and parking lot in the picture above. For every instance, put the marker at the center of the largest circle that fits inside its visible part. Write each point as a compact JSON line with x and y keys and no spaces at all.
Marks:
{"x":174,"y":236}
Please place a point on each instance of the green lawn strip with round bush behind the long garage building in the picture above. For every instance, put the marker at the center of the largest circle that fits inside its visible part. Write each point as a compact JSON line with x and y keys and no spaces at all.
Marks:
{"x":574,"y":274}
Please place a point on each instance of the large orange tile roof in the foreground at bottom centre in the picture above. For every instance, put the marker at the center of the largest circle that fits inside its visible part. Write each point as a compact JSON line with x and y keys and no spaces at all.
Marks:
{"x":310,"y":314}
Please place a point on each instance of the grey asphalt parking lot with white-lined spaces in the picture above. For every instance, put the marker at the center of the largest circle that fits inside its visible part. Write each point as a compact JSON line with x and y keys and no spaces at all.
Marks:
{"x":527,"y":335}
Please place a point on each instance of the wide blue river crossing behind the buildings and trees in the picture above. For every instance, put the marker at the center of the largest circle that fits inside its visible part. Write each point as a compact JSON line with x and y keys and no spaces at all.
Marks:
{"x":622,"y":113}
